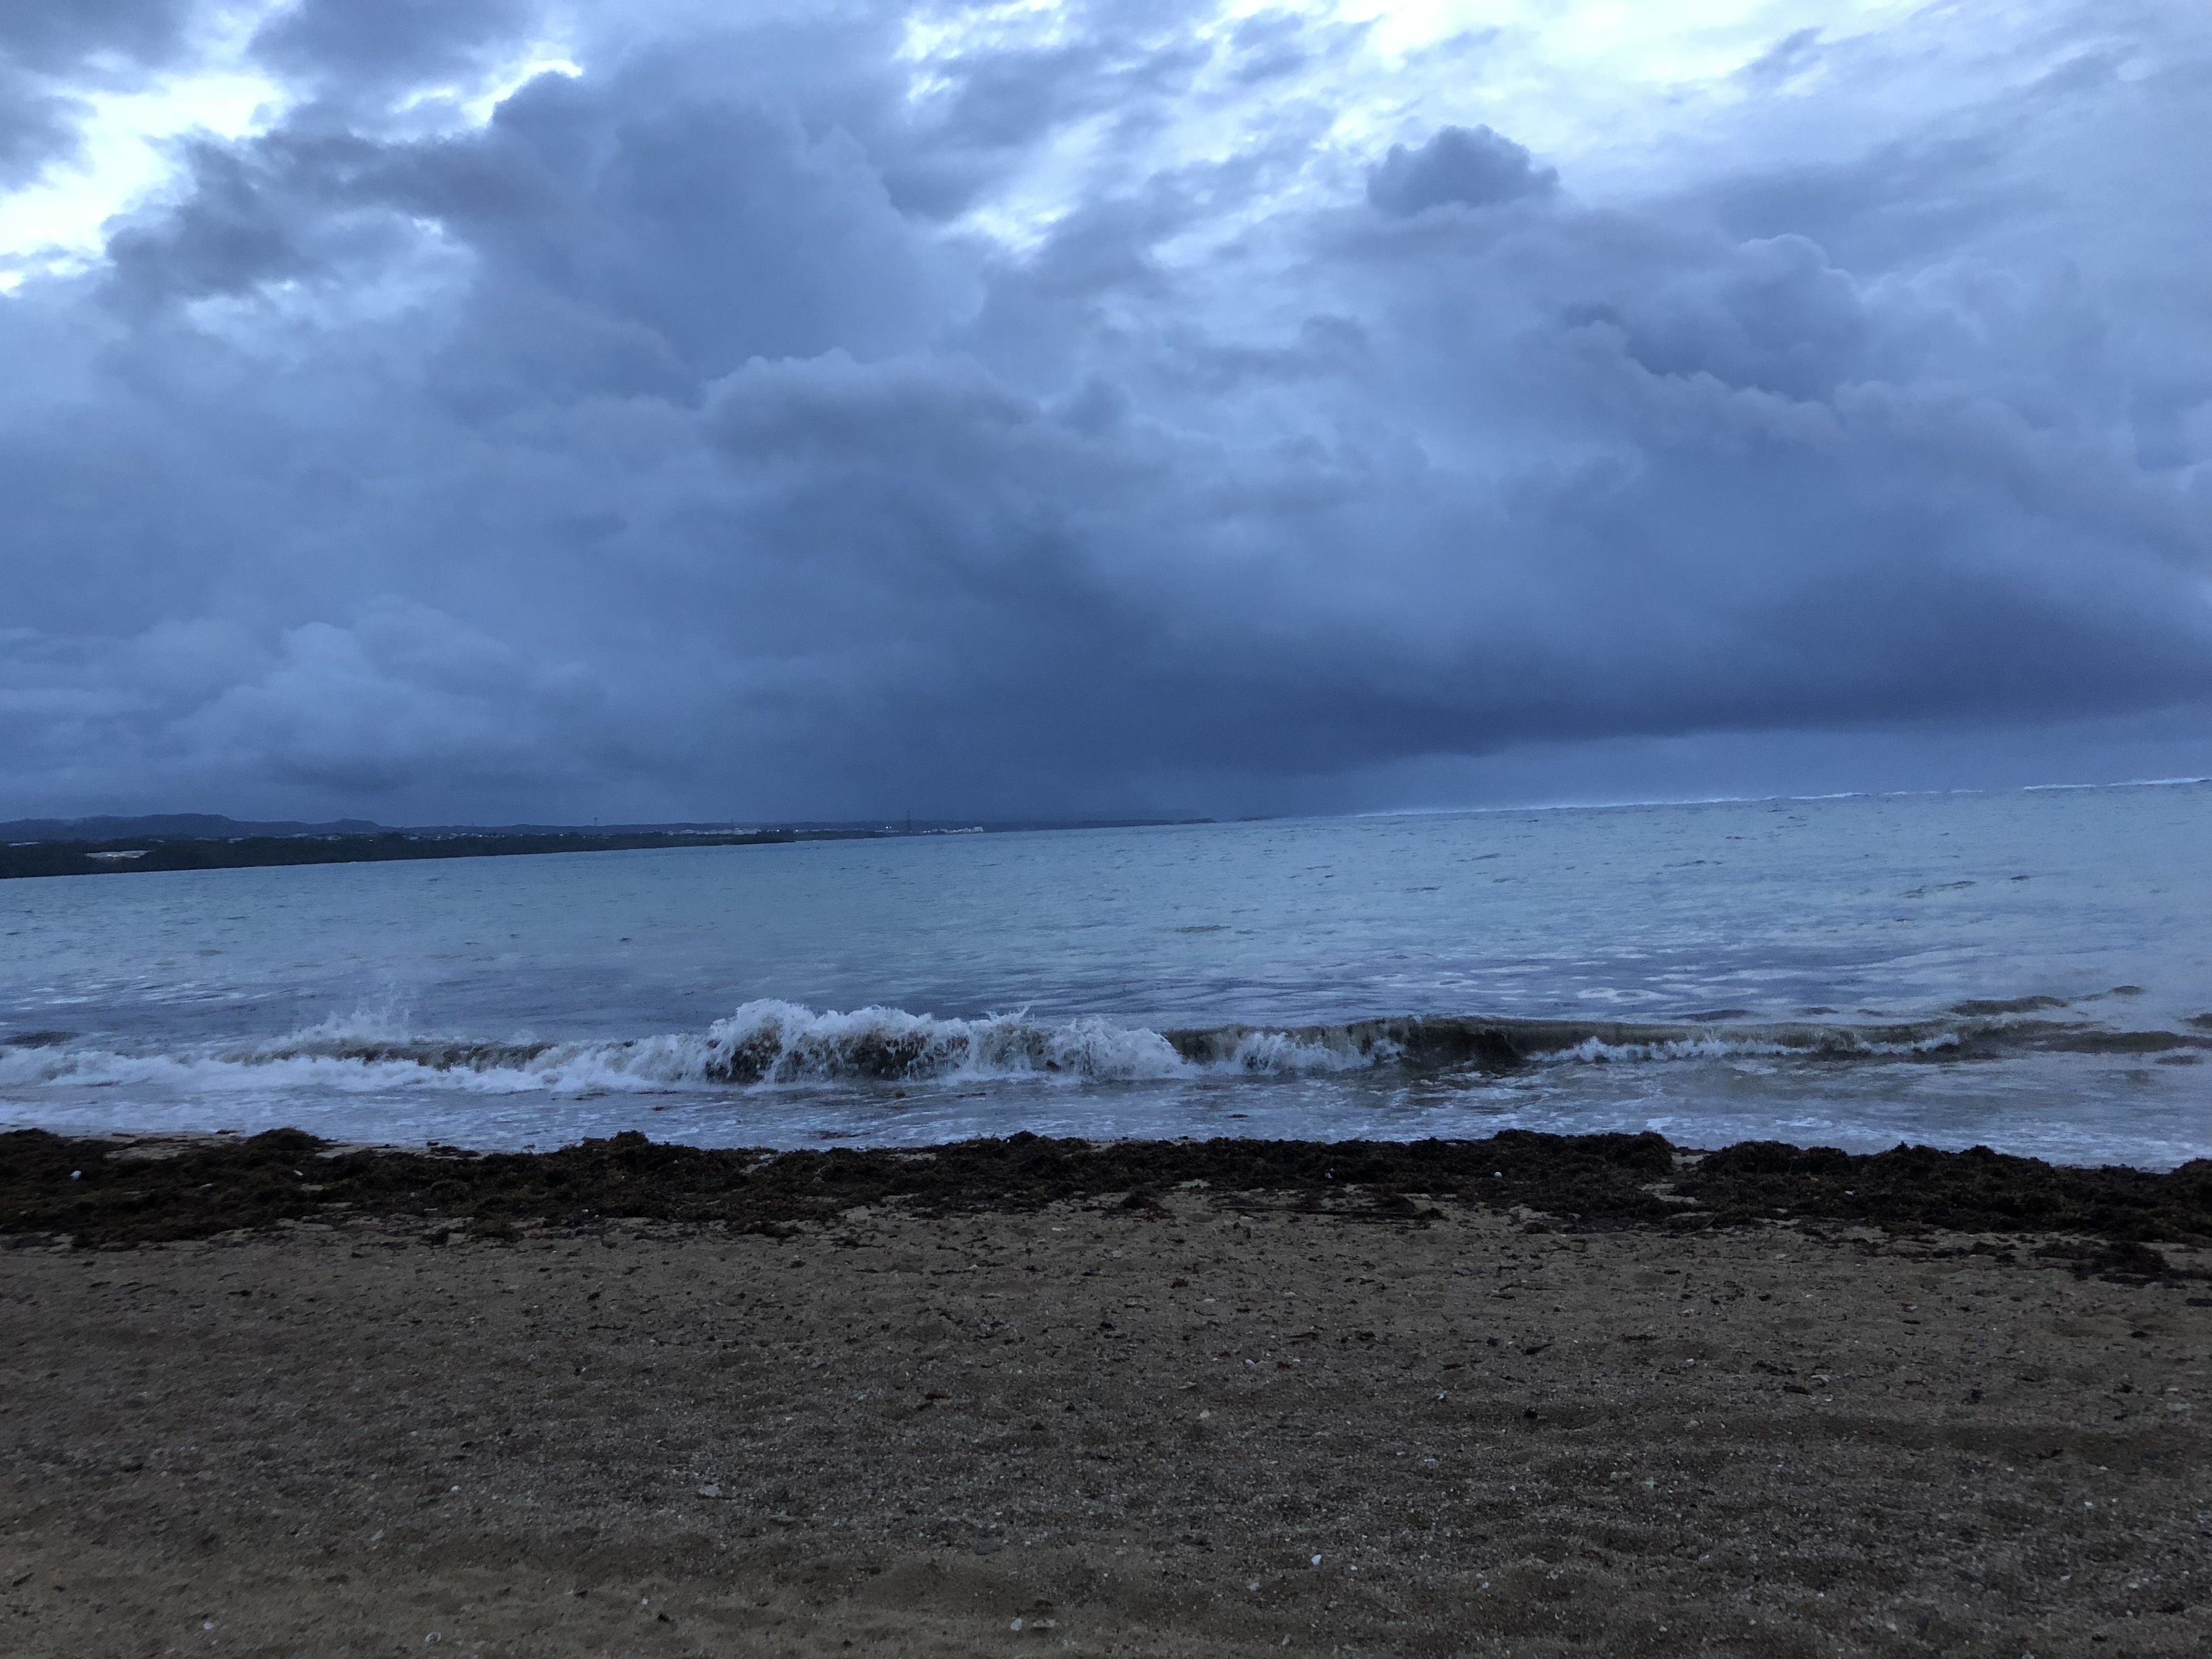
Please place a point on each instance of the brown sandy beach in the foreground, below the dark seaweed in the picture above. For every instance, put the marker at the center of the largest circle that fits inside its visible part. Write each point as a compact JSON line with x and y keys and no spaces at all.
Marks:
{"x":1103,"y":1430}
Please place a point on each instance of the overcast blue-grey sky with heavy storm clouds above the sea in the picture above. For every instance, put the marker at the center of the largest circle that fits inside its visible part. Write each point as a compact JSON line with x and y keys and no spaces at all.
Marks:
{"x":483,"y":410}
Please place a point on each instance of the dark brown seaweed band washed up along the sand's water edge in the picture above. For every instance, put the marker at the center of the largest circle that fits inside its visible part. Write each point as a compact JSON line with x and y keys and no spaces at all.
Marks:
{"x":103,"y":1191}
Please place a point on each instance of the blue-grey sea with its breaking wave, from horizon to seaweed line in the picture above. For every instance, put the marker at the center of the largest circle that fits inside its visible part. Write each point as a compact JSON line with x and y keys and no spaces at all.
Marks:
{"x":2030,"y":972}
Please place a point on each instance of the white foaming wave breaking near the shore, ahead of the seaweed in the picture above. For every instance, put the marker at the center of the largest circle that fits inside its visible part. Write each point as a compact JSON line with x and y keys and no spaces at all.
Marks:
{"x":769,"y":1045}
